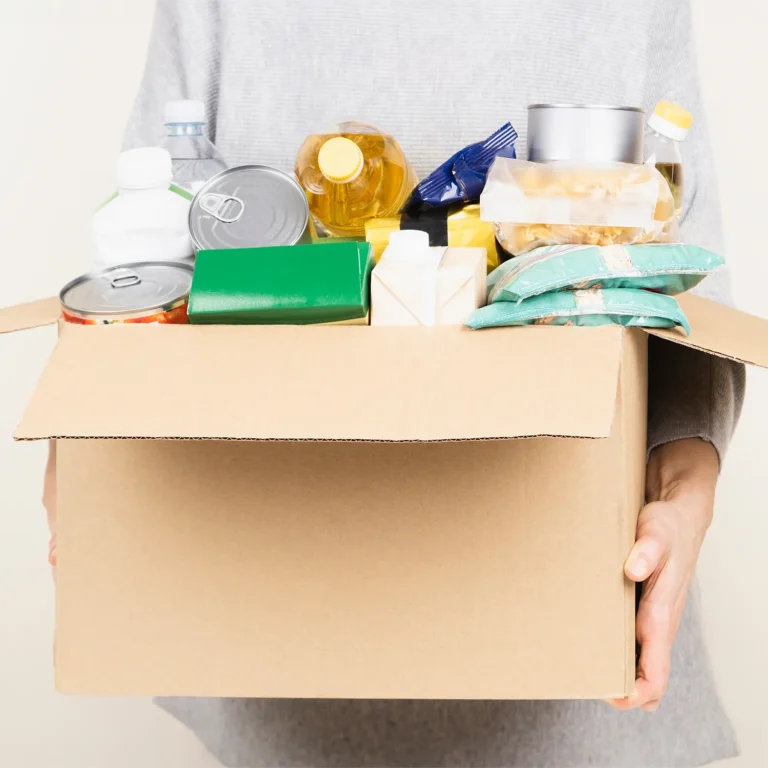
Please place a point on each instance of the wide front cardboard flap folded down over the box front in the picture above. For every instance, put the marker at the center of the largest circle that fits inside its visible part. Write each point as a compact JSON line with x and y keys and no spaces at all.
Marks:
{"x":331,"y":383}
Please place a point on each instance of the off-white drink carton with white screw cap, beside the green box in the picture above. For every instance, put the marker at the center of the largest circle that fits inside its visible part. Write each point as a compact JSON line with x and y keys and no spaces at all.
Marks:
{"x":415,"y":284}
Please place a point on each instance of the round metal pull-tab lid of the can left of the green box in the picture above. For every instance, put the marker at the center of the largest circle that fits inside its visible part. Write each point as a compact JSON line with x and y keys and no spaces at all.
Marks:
{"x":129,"y":288}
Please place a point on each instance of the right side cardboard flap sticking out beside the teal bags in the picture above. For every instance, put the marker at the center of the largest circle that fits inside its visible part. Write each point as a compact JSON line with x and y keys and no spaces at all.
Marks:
{"x":722,"y":331}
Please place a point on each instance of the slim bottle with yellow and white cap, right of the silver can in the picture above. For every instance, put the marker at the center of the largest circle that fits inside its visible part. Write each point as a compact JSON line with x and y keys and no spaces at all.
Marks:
{"x":668,"y":128}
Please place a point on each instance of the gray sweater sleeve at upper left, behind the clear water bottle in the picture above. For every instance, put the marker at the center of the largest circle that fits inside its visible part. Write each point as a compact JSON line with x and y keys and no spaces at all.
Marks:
{"x":182,"y":63}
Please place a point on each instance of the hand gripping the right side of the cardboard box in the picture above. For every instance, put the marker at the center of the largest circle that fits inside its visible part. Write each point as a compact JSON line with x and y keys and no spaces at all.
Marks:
{"x":680,"y":493}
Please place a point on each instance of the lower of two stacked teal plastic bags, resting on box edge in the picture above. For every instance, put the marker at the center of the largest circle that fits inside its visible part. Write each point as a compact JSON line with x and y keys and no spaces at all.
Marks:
{"x":621,"y":306}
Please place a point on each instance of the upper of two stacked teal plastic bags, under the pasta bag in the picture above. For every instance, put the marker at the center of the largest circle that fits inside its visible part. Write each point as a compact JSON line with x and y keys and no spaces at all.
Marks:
{"x":663,"y":268}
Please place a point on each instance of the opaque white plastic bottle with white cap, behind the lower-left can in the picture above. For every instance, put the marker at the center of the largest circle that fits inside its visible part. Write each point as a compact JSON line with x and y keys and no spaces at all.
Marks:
{"x":146,"y":220}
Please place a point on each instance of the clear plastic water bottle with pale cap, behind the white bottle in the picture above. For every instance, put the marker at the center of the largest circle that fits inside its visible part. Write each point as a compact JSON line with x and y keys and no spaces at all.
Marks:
{"x":195,"y":159}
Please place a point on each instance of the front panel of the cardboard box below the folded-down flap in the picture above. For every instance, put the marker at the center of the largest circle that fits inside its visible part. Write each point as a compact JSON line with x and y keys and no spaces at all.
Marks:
{"x":455,"y":570}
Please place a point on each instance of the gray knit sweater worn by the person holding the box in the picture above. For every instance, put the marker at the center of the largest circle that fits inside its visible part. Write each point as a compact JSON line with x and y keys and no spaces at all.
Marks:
{"x":439,"y":74}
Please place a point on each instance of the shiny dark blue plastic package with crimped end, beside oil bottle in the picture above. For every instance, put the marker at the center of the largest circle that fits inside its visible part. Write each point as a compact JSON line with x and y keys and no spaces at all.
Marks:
{"x":461,"y":178}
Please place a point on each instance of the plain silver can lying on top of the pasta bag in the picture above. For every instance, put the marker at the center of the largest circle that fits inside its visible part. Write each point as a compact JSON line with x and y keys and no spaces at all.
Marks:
{"x":585,"y":133}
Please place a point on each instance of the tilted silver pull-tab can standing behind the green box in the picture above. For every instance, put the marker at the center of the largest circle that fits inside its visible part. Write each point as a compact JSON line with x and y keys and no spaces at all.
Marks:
{"x":249,"y":207}
